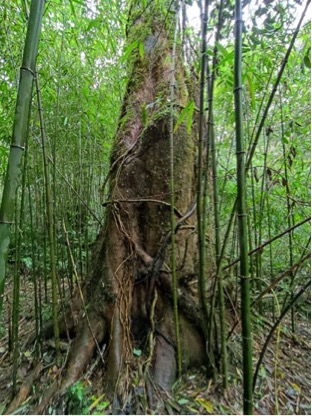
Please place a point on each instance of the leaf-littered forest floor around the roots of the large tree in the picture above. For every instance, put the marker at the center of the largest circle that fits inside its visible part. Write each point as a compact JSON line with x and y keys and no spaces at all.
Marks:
{"x":283,"y":386}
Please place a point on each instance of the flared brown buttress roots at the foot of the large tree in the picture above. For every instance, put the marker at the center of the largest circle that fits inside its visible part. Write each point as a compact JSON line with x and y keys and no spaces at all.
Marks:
{"x":155,"y":369}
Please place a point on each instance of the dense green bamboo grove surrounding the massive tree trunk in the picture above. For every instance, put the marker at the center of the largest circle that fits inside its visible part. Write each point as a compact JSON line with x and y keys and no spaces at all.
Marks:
{"x":65,"y":70}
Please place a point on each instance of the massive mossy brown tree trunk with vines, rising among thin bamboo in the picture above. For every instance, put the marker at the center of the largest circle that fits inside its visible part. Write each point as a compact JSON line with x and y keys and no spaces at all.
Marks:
{"x":130,"y":291}
